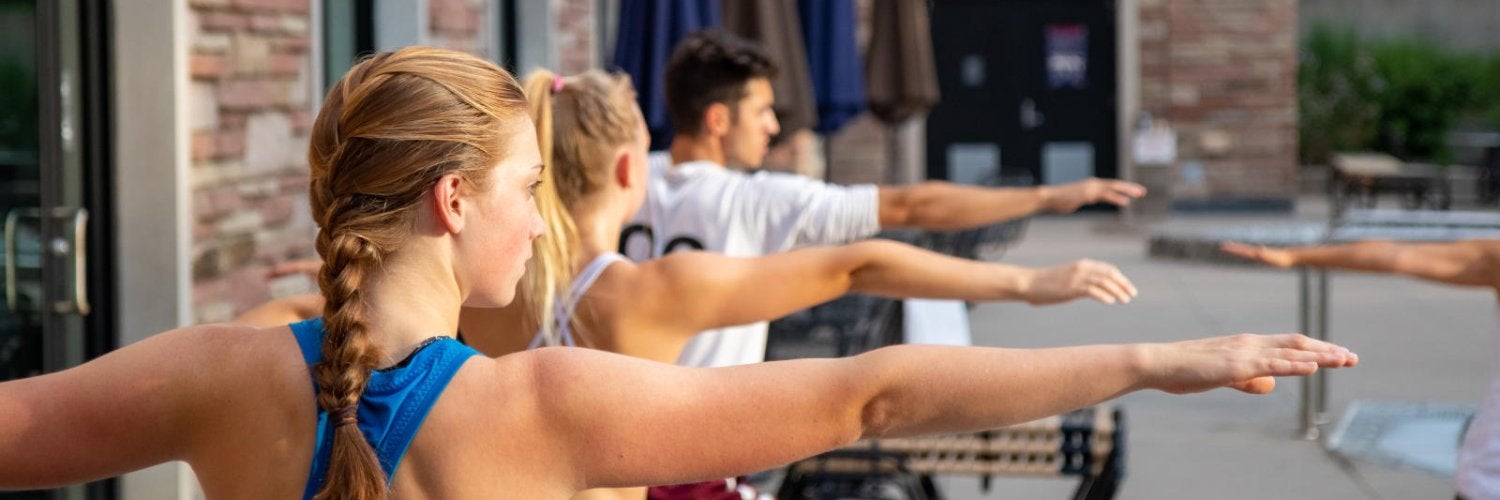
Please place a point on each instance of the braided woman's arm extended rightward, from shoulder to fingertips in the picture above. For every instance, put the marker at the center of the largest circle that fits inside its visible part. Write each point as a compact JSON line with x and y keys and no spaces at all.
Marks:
{"x":629,"y":423}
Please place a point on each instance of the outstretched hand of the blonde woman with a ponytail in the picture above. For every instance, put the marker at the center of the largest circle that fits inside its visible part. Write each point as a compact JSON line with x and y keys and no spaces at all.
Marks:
{"x":1082,"y":279}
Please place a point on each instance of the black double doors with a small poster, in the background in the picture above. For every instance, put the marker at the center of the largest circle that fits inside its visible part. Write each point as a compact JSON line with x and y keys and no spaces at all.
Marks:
{"x":1028,"y":91}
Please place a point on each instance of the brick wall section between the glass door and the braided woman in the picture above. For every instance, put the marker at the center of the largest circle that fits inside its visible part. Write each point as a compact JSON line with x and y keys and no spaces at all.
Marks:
{"x":250,"y":113}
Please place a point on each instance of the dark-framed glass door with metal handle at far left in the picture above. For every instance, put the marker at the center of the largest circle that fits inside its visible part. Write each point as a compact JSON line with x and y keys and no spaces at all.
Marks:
{"x":52,"y":151}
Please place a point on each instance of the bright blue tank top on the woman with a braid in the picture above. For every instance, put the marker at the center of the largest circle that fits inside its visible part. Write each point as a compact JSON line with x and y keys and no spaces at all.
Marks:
{"x":395,"y":400}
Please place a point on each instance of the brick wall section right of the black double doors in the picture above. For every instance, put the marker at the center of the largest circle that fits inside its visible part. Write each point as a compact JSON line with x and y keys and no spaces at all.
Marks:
{"x":1225,"y":74}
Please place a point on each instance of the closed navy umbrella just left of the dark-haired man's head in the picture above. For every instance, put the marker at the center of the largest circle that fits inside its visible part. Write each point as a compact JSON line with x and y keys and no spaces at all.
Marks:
{"x":647,"y":34}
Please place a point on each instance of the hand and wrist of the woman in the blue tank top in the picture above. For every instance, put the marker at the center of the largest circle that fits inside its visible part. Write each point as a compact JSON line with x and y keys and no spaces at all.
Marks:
{"x":1246,"y":363}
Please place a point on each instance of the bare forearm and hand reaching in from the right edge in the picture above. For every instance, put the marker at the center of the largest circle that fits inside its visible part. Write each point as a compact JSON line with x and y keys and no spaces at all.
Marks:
{"x":1454,"y":264}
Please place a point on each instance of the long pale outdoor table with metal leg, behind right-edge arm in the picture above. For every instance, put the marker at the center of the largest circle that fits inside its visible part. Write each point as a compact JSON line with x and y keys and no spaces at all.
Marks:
{"x":1354,"y":226}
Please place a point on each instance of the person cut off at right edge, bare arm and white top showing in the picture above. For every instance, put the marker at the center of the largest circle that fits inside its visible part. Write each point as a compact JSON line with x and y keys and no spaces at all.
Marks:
{"x":1468,"y":264}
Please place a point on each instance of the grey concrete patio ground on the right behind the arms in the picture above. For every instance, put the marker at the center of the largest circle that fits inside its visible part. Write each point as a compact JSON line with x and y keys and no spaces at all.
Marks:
{"x":1417,"y":343}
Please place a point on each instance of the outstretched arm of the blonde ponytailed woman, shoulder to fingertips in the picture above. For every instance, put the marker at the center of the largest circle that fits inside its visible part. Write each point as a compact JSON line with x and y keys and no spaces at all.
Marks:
{"x":694,"y":292}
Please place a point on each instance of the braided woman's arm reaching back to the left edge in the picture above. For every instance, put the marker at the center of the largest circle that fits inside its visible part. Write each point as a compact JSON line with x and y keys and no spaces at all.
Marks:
{"x":134,"y":408}
